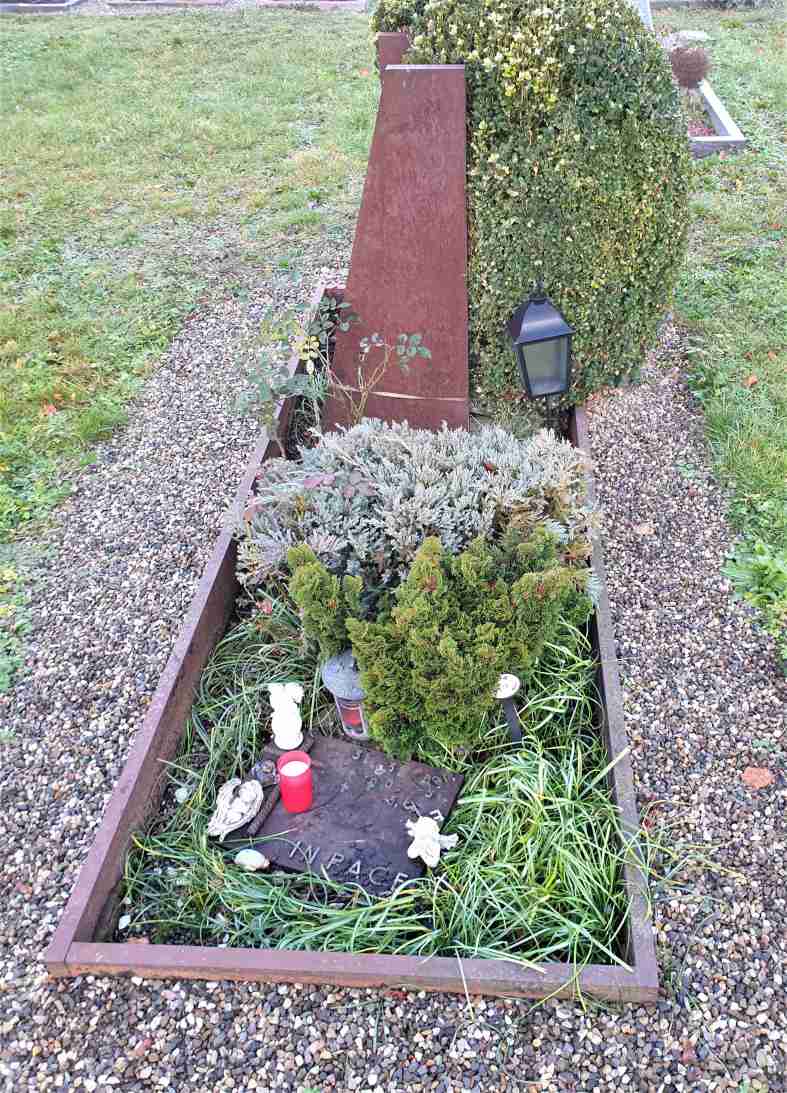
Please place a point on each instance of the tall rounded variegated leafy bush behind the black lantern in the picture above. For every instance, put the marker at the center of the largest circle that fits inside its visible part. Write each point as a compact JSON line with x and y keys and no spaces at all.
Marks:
{"x":579,"y":171}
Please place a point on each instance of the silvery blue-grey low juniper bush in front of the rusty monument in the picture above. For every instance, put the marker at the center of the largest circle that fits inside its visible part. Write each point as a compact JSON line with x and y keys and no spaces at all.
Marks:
{"x":366,"y":500}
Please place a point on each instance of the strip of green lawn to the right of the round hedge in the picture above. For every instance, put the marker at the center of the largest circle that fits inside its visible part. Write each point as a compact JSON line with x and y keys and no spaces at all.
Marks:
{"x":733,"y":296}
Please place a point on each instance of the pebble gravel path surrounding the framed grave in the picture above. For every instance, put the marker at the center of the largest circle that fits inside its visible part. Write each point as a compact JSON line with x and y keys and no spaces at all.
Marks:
{"x":703,"y":702}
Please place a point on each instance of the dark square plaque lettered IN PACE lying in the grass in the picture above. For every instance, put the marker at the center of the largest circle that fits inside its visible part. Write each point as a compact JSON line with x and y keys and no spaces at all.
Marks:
{"x":356,"y":830}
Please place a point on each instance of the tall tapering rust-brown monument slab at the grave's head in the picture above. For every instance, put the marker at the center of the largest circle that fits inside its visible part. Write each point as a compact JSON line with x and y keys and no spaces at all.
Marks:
{"x":408,"y":272}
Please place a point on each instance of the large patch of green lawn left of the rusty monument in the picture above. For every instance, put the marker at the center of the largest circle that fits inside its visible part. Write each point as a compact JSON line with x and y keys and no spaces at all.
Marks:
{"x":147,"y":163}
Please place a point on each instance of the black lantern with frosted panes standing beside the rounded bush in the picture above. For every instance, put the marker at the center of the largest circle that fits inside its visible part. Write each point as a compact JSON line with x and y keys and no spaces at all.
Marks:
{"x":543,"y":342}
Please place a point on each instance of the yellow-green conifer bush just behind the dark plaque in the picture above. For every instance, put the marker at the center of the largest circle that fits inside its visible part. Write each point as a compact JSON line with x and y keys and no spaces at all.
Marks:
{"x":431,"y":661}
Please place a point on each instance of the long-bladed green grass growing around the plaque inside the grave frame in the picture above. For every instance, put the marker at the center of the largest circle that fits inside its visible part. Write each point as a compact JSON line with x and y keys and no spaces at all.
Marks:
{"x":537,"y":875}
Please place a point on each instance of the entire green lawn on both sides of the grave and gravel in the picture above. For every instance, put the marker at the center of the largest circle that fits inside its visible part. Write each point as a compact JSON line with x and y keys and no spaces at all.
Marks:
{"x":145,"y":160}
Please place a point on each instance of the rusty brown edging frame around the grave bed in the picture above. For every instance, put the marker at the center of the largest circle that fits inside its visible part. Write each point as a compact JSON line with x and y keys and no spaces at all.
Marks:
{"x":74,"y":950}
